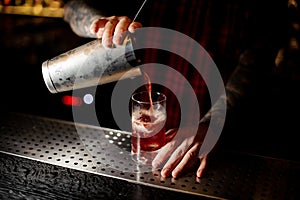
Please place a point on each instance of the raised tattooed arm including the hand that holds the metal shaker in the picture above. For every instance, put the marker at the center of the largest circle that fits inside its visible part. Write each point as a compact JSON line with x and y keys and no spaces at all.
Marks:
{"x":108,"y":23}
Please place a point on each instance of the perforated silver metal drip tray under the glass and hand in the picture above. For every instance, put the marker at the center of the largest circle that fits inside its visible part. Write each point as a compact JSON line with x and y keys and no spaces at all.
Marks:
{"x":105,"y":152}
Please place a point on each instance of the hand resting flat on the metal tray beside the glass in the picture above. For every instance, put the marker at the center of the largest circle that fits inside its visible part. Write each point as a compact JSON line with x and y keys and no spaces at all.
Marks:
{"x":181,"y":153}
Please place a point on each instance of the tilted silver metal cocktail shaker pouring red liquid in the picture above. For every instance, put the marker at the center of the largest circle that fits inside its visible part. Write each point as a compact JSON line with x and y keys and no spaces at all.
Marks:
{"x":89,"y":65}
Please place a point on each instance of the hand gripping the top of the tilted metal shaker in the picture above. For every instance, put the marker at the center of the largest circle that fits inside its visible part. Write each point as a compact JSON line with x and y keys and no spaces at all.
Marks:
{"x":111,"y":29}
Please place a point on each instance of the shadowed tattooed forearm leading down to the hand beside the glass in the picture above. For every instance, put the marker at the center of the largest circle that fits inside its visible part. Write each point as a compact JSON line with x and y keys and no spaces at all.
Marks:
{"x":252,"y":66}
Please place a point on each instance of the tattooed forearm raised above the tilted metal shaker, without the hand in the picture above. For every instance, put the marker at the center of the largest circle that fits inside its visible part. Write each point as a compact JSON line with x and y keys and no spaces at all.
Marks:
{"x":80,"y":16}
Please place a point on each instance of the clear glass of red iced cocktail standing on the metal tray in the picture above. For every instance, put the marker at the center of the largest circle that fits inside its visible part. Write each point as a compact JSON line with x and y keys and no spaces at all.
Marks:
{"x":148,"y":125}
